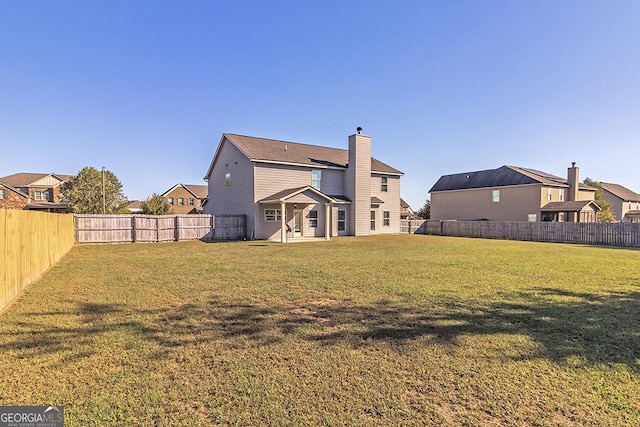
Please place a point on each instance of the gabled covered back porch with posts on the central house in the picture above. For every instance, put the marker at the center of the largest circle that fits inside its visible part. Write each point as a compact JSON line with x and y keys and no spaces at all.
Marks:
{"x":298,"y":214}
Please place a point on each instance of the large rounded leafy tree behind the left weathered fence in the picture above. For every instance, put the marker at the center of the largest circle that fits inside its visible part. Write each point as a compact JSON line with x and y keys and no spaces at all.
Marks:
{"x":92,"y":191}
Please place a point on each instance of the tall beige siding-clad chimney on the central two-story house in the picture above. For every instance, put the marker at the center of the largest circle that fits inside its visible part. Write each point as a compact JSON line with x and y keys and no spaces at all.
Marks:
{"x":358,"y":183}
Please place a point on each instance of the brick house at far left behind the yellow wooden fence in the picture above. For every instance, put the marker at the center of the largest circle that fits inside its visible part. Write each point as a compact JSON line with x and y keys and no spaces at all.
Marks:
{"x":33,"y":191}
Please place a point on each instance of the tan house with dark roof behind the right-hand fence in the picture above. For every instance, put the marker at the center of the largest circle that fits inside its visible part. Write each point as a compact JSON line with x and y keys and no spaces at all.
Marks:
{"x":512,"y":193}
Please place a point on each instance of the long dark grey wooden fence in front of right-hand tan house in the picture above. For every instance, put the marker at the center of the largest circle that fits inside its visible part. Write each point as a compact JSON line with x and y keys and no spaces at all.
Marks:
{"x":613,"y":234}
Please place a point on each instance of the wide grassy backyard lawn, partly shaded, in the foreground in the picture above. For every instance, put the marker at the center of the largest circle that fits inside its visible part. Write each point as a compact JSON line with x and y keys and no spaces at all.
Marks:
{"x":389,"y":330}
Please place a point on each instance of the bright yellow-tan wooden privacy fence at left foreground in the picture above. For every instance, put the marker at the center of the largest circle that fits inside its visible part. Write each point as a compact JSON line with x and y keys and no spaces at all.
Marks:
{"x":30,"y":243}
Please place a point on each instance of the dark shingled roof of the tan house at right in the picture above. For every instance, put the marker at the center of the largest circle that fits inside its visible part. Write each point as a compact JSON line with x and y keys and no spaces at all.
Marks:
{"x":500,"y":177}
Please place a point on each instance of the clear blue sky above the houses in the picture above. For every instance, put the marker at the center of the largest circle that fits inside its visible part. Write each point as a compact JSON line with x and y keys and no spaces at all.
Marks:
{"x":146,"y":88}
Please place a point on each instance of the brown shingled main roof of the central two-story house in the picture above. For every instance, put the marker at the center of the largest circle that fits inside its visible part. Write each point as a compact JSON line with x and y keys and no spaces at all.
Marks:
{"x":272,"y":150}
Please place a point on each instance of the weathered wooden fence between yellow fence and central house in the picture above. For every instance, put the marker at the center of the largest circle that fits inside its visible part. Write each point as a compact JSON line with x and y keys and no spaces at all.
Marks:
{"x":157,"y":228}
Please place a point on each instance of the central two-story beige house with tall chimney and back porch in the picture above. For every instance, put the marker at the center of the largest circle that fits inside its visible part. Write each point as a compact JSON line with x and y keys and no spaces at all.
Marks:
{"x":289,"y":190}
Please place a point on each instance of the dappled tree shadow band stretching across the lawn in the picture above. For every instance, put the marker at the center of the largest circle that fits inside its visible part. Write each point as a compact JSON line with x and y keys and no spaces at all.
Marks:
{"x":591,"y":328}
